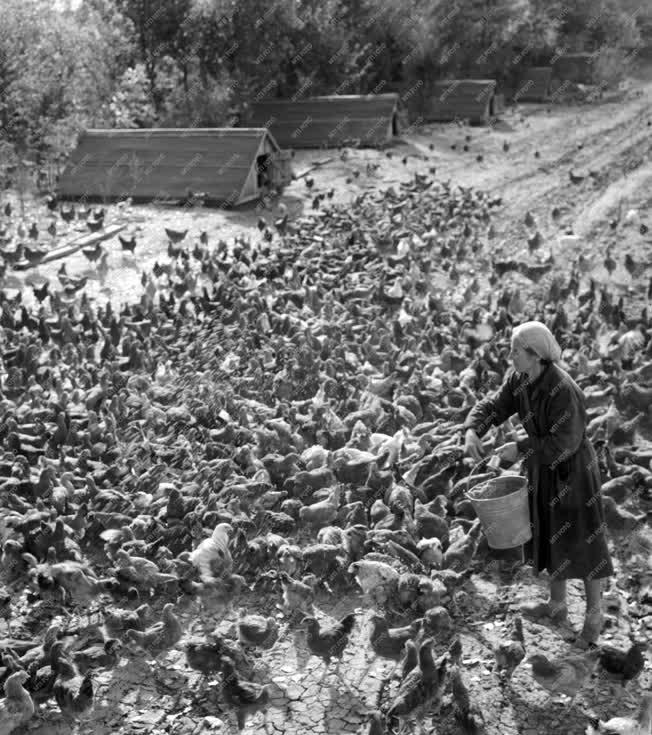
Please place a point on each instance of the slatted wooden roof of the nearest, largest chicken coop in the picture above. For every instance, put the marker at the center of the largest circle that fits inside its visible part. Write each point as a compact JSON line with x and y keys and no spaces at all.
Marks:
{"x":162,"y":162}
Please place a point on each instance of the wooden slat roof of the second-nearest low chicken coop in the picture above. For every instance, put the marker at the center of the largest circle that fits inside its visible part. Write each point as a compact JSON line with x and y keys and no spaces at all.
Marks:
{"x":328,"y":120}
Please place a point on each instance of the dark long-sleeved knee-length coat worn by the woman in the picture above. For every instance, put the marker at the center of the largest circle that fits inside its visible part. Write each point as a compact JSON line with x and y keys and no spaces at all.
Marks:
{"x":566,"y":513}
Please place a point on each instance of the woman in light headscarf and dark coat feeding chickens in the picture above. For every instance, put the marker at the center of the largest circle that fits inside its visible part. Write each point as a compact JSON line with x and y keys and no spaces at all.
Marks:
{"x":566,"y":512}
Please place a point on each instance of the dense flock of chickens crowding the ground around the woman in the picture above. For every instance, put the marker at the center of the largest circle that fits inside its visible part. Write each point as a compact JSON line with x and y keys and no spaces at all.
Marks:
{"x":291,"y":430}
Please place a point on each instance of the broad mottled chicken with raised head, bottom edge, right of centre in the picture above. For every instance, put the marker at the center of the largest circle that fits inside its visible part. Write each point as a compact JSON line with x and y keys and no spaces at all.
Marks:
{"x":423,"y":687}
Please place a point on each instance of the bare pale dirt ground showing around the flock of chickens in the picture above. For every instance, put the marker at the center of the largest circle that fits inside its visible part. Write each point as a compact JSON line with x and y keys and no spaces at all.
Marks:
{"x":613,"y":140}
